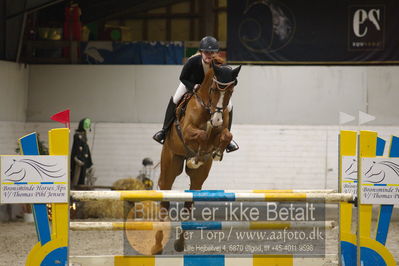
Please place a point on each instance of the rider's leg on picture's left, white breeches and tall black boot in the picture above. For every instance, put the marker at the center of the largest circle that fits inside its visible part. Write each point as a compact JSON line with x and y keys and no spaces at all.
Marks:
{"x":170,"y":113}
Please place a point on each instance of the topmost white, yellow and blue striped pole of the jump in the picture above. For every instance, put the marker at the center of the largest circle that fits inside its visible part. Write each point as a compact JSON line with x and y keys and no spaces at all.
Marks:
{"x":209,"y":195}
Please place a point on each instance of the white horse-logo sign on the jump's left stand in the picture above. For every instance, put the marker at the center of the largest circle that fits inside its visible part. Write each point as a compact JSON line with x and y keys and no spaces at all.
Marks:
{"x":34,"y":179}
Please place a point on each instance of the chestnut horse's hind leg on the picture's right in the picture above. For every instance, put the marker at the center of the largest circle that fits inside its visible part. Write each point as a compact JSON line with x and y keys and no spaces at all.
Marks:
{"x":197,"y":179}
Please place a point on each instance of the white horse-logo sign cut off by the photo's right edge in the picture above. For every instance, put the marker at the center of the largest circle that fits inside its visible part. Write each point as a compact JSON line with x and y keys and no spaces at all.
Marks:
{"x":380,"y":181}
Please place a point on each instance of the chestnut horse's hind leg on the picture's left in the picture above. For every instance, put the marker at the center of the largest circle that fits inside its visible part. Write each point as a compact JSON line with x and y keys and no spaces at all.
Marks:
{"x":171,"y":166}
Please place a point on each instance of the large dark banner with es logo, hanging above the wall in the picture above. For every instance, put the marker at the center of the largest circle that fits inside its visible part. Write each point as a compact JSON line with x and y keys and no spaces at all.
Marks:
{"x":310,"y":31}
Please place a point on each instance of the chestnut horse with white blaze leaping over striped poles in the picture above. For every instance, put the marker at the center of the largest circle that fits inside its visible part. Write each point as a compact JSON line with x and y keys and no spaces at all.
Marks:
{"x":198,"y":137}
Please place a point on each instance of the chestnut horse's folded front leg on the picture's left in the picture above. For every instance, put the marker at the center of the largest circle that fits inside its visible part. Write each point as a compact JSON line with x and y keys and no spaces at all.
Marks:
{"x":195,"y":136}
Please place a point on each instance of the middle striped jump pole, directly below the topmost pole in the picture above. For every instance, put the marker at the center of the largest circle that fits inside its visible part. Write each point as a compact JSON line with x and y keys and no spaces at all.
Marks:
{"x":198,"y":225}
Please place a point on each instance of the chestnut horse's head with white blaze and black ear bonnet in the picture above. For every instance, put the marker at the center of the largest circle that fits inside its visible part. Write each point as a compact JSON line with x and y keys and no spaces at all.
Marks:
{"x":223,"y":81}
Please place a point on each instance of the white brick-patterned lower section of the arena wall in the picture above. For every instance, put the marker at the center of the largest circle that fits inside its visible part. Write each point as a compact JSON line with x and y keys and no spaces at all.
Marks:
{"x":270,"y":157}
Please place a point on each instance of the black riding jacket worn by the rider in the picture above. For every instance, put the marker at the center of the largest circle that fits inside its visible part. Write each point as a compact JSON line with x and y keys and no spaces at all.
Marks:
{"x":192,"y":72}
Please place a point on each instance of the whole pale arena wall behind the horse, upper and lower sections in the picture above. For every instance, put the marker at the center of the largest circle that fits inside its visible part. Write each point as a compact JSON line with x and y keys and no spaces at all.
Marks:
{"x":285,"y":117}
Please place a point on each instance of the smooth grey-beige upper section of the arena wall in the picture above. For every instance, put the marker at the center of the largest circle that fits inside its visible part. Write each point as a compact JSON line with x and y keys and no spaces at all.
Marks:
{"x":265,"y":95}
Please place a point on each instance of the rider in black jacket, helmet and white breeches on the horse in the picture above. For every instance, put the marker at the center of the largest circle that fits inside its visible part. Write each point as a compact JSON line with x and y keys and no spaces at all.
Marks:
{"x":191,"y":77}
